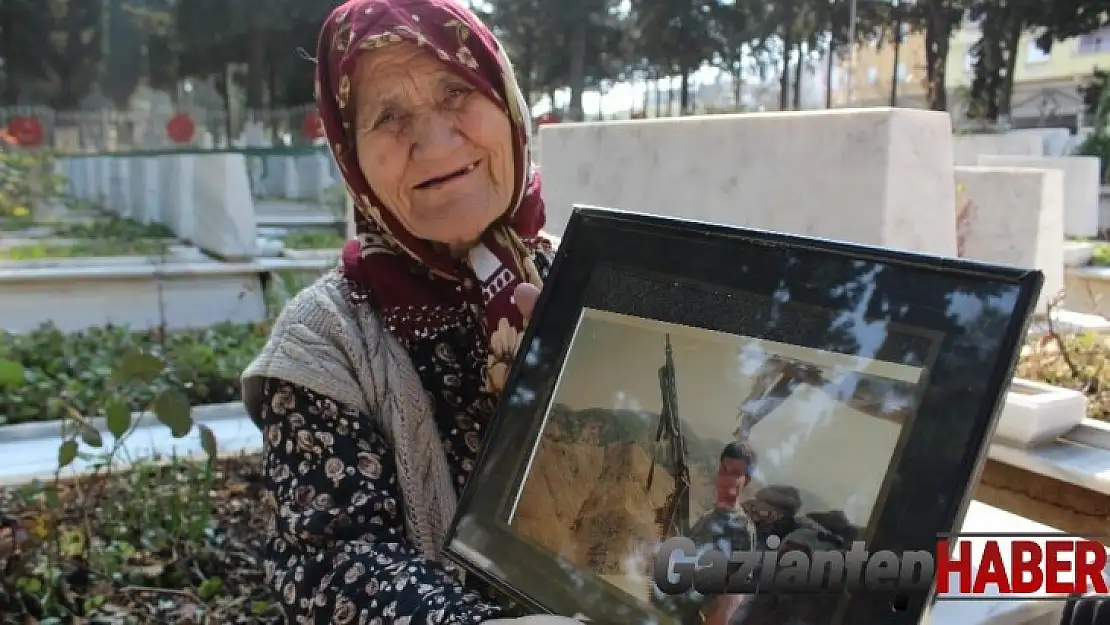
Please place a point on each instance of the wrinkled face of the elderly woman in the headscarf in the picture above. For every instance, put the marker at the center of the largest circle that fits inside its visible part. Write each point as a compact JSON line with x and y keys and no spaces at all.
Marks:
{"x":436,"y":152}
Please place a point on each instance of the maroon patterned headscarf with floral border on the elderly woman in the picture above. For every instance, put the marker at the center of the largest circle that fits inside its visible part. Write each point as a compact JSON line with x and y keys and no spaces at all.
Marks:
{"x":417,"y":288}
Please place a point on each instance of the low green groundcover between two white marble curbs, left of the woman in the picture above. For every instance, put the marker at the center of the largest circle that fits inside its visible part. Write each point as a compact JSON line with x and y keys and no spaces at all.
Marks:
{"x":75,"y":370}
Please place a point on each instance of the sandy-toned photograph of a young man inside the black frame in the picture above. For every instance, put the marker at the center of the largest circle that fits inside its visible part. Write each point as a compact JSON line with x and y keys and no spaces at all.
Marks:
{"x":660,"y":430}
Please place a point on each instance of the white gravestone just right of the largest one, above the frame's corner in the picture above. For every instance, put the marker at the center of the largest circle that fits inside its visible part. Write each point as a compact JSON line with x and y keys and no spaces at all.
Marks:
{"x":1015,"y":217}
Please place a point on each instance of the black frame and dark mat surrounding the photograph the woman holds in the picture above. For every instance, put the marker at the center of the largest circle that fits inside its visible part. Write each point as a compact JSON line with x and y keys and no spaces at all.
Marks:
{"x":962,"y":322}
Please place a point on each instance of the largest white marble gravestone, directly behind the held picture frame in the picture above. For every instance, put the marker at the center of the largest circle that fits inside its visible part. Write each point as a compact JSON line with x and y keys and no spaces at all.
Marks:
{"x":881,"y":177}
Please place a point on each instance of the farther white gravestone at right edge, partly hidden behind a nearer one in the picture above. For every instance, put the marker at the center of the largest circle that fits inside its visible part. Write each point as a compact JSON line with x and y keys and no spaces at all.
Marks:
{"x":1082,"y":187}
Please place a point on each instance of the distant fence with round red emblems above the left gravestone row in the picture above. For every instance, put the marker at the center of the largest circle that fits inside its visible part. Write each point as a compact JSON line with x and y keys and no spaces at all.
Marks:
{"x":189,"y":128}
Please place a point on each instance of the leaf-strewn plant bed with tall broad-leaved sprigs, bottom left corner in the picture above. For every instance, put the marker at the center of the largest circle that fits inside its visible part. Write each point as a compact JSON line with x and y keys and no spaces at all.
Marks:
{"x":159,"y":542}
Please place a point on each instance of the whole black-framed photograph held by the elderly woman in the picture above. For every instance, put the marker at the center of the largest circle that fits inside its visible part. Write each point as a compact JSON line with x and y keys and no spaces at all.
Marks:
{"x":743,"y":388}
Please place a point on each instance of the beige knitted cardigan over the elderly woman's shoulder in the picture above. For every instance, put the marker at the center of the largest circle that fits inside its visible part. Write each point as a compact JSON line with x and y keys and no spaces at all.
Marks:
{"x":325,"y":342}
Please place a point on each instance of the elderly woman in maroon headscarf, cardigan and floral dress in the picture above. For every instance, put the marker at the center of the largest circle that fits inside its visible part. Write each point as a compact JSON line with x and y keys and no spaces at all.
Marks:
{"x":380,"y":380}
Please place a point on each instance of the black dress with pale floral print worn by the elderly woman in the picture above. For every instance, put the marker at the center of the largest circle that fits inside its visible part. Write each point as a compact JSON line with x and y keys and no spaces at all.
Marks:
{"x":339,"y":552}
